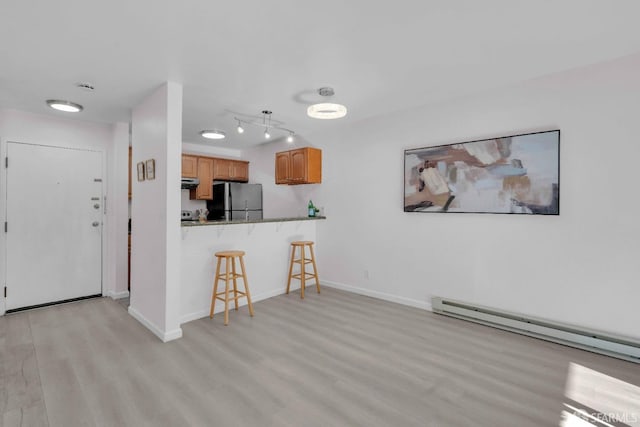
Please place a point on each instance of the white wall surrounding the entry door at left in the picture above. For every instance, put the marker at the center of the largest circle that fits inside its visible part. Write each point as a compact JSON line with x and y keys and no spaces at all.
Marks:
{"x":60,"y":131}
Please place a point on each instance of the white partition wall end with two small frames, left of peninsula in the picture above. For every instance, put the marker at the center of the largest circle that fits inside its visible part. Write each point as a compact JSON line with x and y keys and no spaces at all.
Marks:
{"x":155,"y":209}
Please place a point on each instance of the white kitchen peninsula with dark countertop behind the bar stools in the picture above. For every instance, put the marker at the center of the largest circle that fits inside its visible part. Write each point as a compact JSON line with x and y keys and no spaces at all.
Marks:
{"x":267,"y":246}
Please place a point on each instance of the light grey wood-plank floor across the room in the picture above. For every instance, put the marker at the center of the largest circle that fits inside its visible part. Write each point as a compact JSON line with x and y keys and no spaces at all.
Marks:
{"x":334,"y":359}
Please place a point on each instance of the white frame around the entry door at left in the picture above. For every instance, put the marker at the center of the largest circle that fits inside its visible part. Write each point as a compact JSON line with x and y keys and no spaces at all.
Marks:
{"x":3,"y":211}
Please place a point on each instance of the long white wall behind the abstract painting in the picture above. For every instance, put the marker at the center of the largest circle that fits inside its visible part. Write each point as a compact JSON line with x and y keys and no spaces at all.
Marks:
{"x":580,"y":267}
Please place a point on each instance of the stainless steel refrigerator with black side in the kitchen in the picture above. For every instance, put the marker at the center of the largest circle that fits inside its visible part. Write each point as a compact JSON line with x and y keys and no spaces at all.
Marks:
{"x":235,"y":201}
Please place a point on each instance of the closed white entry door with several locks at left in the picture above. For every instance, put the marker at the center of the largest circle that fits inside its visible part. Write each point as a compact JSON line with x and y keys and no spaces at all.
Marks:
{"x":54,"y":224}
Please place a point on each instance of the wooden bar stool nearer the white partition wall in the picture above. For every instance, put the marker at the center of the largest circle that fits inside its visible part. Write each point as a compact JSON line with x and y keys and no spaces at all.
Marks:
{"x":230,"y":274}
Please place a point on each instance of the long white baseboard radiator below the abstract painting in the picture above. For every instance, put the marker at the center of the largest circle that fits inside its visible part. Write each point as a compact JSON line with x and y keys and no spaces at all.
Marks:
{"x":596,"y":341}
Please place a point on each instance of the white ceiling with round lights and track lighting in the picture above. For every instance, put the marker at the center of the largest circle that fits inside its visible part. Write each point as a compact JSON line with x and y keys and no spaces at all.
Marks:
{"x":236,"y":58}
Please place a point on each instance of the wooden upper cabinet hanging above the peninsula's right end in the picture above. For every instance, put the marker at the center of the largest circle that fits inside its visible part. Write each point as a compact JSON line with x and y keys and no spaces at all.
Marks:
{"x":299,"y":166}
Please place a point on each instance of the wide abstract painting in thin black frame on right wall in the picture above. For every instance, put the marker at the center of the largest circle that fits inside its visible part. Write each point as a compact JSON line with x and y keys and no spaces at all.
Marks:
{"x":518,"y":174}
